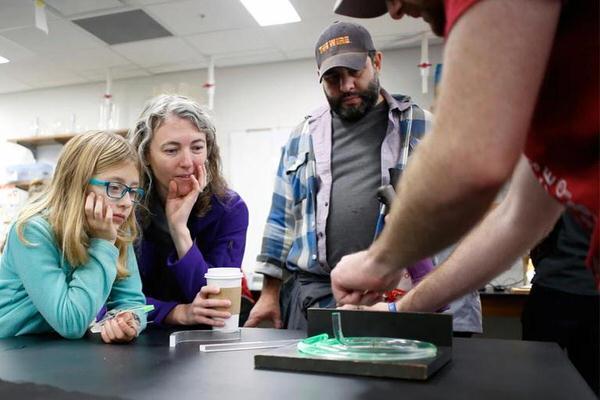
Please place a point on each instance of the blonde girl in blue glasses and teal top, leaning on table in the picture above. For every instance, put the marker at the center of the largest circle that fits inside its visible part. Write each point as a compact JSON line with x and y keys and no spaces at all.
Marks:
{"x":70,"y":250}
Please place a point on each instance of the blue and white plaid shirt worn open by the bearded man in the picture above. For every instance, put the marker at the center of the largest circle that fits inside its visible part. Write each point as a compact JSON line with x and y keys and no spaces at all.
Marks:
{"x":294,"y":236}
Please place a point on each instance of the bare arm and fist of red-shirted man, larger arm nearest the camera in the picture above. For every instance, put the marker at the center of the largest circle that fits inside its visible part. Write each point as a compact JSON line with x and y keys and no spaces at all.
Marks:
{"x":491,"y":81}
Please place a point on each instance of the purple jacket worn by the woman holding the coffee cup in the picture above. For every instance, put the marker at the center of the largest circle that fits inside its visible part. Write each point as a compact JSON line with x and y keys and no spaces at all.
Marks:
{"x":219,"y":241}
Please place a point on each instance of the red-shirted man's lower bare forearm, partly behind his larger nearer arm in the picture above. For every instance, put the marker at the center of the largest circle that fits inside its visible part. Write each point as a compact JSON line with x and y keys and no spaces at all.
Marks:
{"x":524,"y":218}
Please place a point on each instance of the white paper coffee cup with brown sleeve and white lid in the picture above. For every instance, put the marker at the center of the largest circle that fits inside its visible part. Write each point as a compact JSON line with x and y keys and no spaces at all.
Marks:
{"x":229,"y":280}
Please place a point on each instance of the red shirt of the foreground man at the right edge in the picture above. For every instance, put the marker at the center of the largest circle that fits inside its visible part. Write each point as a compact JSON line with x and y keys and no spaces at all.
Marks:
{"x":563,"y":140}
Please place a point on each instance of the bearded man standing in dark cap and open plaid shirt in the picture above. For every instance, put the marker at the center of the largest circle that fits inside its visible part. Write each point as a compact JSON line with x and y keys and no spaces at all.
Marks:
{"x":324,"y":205}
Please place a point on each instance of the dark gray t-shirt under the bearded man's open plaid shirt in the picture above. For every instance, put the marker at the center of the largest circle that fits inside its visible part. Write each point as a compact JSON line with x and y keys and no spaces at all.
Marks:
{"x":356,"y":175}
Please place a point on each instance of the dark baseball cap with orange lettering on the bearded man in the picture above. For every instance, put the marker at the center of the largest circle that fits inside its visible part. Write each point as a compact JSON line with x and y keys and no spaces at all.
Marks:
{"x":343,"y":44}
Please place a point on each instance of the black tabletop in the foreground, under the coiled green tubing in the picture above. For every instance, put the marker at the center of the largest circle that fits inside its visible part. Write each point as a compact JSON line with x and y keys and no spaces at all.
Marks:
{"x":149,"y":369}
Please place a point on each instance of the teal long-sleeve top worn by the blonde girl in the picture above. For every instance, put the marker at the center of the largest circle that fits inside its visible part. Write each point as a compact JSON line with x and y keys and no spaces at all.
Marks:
{"x":41,"y":292}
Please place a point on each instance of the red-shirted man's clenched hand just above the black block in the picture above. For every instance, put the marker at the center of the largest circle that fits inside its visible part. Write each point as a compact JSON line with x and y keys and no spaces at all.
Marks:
{"x":359,"y":279}
